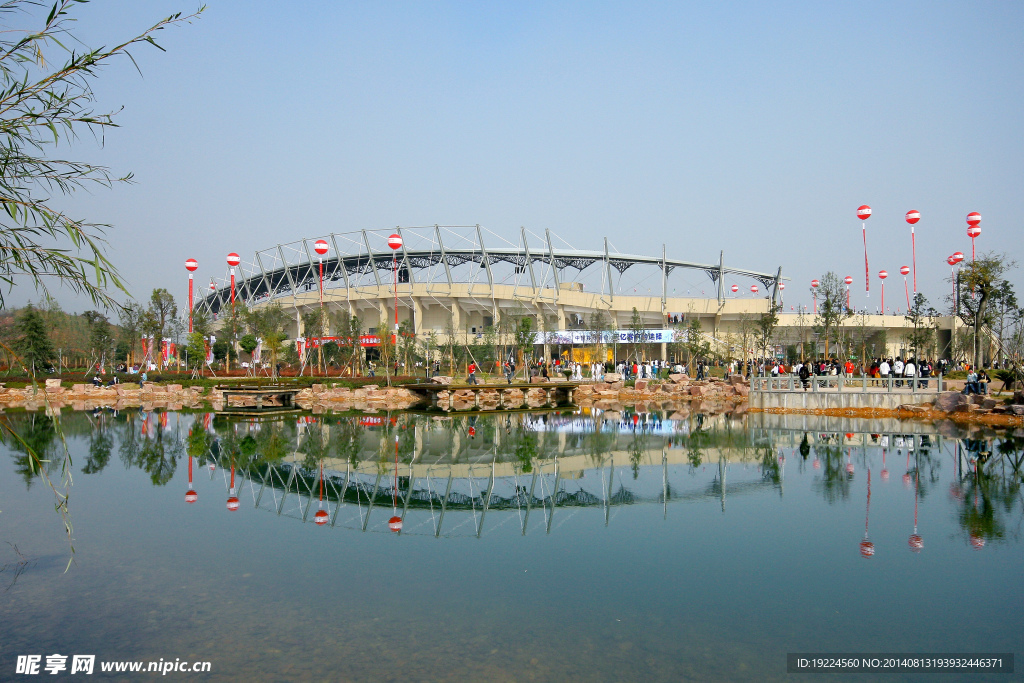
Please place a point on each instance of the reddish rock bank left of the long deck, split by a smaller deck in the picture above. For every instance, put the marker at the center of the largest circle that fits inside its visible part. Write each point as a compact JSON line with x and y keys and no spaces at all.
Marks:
{"x":320,"y":398}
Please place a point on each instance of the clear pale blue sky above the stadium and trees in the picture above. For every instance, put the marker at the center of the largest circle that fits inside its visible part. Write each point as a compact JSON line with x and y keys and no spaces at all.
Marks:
{"x":757,"y":129}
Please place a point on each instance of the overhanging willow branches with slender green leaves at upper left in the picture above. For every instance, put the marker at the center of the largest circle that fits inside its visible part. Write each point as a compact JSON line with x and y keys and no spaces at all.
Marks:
{"x":48,"y":103}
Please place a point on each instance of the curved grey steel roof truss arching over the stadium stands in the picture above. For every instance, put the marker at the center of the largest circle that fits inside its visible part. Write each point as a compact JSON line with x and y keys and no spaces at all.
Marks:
{"x":446,"y":257}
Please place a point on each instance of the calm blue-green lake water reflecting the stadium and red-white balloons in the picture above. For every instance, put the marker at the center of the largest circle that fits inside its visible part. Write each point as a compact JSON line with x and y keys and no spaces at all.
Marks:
{"x":533,"y":547}
